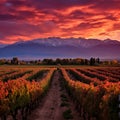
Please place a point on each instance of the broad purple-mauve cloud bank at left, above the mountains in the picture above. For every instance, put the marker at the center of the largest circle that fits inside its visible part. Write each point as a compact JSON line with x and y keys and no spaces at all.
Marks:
{"x":24,"y":29}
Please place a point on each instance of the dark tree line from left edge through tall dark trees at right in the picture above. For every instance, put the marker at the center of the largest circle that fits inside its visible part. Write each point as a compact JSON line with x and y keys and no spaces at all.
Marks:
{"x":58,"y":61}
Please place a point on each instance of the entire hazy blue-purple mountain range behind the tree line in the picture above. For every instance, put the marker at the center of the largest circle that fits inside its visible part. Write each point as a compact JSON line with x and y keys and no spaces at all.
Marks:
{"x":62,"y":48}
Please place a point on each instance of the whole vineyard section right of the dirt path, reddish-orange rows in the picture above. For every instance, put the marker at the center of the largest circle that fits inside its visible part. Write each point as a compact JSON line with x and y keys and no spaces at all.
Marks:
{"x":95,"y":91}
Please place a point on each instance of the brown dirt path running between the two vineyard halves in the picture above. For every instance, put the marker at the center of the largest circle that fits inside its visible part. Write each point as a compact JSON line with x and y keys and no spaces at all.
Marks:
{"x":50,"y":107}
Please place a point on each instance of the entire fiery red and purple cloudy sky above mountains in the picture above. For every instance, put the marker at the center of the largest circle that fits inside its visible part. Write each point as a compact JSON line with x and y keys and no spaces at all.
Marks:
{"x":30,"y":19}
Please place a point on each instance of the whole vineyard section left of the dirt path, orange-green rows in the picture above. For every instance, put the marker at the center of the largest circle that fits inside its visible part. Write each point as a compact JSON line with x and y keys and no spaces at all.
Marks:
{"x":21,"y":90}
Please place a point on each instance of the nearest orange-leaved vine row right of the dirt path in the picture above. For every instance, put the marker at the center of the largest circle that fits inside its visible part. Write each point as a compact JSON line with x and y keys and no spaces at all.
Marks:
{"x":93,"y":101}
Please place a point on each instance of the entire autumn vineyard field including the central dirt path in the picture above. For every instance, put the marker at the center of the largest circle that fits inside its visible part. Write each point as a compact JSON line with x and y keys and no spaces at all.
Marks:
{"x":59,"y":93}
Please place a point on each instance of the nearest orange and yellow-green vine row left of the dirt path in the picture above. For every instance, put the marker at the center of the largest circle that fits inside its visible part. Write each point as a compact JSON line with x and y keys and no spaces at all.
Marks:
{"x":21,"y":95}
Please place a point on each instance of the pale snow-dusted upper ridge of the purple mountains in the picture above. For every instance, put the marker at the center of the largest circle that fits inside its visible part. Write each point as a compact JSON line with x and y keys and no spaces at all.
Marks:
{"x":56,"y":41}
